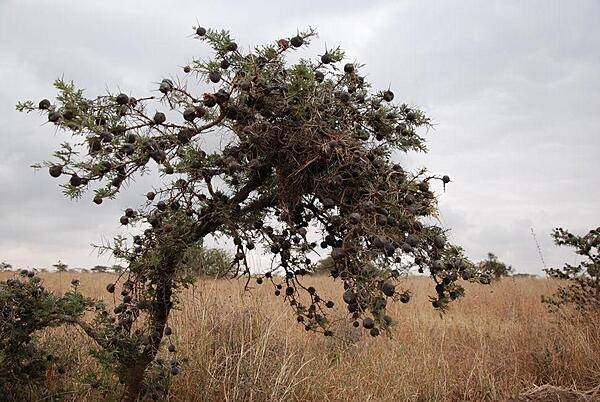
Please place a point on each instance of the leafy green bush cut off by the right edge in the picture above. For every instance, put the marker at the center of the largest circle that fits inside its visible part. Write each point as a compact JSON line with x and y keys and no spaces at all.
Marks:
{"x":583,"y":288}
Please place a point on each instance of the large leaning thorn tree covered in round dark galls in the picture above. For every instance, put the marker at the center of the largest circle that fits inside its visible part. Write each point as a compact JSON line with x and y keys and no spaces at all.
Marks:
{"x":306,"y":166}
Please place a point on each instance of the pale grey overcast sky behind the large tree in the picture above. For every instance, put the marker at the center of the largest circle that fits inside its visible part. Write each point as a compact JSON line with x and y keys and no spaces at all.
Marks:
{"x":513,"y":88}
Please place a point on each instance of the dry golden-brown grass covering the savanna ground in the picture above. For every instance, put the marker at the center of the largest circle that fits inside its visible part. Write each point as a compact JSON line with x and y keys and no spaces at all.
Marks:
{"x":496,"y":343}
